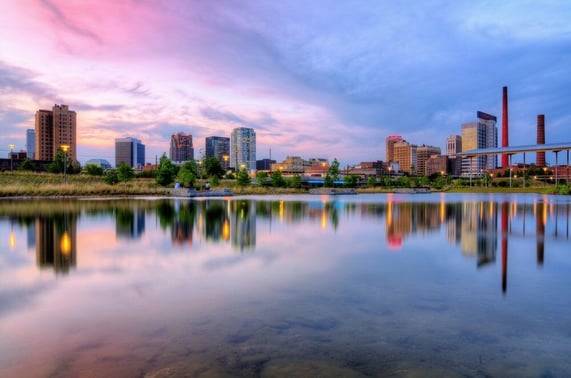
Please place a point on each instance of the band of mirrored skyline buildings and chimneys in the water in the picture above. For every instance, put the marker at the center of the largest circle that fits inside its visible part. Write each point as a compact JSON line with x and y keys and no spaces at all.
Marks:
{"x":477,"y":227}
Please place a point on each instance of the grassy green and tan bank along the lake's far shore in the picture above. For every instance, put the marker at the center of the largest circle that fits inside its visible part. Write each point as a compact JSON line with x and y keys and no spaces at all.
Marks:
{"x":26,"y":184}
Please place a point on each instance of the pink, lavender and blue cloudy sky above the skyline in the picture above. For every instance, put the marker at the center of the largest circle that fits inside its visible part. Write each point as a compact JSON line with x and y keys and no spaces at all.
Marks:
{"x":314,"y":78}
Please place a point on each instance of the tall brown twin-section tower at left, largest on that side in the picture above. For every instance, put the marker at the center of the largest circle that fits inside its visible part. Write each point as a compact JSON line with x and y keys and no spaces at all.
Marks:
{"x":55,"y":128}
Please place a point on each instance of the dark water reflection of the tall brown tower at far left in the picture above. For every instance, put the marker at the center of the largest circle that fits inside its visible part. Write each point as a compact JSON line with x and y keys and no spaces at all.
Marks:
{"x":56,"y":241}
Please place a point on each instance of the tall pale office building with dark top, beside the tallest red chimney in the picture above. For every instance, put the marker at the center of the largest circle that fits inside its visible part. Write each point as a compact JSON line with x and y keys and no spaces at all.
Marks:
{"x":482,"y":133}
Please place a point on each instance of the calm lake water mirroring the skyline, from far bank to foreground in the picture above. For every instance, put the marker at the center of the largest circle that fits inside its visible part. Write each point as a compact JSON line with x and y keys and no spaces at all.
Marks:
{"x":366,"y":285}
